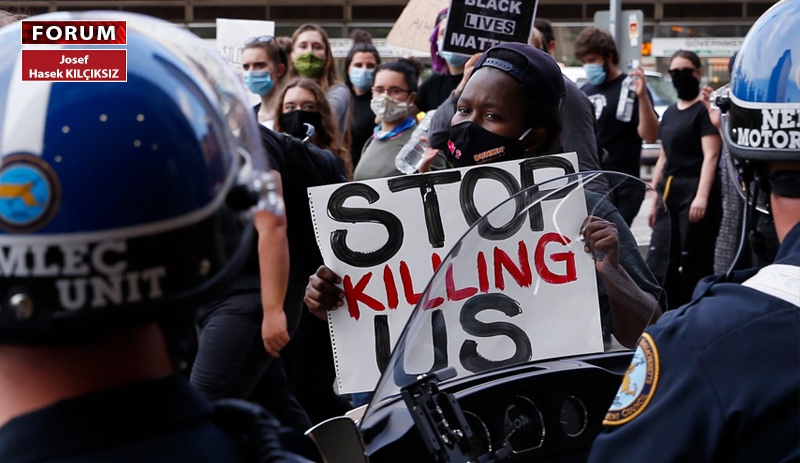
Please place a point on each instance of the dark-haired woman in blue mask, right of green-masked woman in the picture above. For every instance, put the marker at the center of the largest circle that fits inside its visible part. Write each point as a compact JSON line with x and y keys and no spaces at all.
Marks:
{"x":361,"y":63}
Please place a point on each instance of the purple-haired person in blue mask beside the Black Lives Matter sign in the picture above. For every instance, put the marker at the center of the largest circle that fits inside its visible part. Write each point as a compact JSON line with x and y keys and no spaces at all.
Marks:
{"x":448,"y":69}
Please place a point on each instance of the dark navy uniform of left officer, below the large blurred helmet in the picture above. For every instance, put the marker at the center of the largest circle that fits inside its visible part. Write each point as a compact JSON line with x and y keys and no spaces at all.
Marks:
{"x":163,"y":420}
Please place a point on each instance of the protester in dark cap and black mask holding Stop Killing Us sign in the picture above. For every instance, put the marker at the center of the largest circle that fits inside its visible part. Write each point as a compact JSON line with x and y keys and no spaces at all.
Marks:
{"x":509,"y":110}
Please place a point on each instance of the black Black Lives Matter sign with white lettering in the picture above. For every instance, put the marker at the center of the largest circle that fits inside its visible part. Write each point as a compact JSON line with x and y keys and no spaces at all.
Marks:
{"x":477,"y":25}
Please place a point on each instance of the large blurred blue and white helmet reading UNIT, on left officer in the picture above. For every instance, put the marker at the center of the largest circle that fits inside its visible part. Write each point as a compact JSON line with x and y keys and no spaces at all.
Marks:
{"x":115,"y":197}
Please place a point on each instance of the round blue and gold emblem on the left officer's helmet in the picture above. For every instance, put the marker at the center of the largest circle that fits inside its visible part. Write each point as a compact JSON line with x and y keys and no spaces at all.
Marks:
{"x":29,"y":193}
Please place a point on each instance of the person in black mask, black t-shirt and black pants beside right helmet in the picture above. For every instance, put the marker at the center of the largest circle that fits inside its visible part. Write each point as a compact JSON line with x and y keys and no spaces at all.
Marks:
{"x":685,"y":175}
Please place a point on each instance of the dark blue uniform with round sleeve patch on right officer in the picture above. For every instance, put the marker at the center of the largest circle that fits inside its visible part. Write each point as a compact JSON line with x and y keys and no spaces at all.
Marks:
{"x":717,"y":380}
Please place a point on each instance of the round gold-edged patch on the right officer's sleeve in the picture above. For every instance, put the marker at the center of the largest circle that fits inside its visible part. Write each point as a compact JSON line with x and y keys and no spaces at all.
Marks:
{"x":638,"y":385}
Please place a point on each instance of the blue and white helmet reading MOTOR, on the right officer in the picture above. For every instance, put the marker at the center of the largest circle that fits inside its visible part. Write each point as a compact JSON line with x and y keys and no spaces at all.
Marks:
{"x":763,"y":122}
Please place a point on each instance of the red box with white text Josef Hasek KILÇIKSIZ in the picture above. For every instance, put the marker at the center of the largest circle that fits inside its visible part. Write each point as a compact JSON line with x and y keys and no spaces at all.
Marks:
{"x":75,"y":65}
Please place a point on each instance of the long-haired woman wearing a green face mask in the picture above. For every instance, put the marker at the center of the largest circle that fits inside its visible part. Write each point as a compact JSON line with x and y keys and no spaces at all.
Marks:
{"x":312,"y":58}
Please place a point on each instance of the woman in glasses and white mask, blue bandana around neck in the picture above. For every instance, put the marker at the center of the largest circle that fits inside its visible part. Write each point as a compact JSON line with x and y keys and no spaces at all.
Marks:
{"x":393,"y":93}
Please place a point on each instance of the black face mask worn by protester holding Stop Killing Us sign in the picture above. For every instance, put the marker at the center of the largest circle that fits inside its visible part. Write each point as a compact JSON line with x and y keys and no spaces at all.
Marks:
{"x":471,"y":144}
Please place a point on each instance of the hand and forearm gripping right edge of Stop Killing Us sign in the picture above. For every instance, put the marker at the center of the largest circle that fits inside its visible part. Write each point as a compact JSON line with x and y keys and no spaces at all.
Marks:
{"x":632,"y":308}
